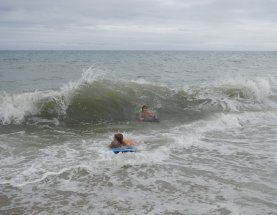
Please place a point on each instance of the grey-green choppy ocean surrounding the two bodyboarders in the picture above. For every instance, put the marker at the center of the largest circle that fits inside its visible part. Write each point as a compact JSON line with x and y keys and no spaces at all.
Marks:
{"x":214,"y":150}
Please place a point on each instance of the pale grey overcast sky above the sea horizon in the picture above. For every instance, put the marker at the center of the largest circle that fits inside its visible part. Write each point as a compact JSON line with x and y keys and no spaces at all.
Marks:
{"x":139,"y":24}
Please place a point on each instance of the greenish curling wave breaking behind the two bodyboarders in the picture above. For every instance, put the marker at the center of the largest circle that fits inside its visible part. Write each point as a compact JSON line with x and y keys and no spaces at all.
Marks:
{"x":93,"y":99}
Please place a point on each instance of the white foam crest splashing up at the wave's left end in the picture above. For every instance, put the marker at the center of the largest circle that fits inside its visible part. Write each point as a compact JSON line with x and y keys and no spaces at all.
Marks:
{"x":15,"y":107}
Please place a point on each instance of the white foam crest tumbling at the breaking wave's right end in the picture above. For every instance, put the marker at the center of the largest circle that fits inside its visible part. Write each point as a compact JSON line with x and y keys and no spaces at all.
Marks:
{"x":238,"y":94}
